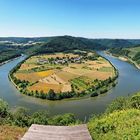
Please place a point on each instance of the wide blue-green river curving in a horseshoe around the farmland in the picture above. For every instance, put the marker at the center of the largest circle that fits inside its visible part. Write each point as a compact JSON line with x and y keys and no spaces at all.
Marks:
{"x":128,"y":83}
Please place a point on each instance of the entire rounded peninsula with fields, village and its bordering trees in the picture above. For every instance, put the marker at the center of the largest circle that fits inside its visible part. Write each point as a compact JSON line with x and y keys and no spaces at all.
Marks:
{"x":64,"y":75}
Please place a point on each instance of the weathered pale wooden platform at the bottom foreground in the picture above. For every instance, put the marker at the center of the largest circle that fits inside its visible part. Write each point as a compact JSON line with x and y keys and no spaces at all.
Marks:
{"x":46,"y":132}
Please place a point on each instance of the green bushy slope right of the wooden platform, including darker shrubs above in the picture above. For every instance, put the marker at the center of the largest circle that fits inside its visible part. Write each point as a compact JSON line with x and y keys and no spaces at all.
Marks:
{"x":120,"y":121}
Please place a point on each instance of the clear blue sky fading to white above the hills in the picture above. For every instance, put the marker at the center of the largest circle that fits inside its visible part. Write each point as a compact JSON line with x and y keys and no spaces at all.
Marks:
{"x":84,"y":18}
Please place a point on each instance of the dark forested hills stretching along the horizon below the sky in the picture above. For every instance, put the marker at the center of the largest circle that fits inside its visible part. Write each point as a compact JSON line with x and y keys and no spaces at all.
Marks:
{"x":11,"y":47}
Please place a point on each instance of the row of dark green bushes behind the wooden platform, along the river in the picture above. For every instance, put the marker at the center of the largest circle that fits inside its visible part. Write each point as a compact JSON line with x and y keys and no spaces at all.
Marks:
{"x":21,"y":117}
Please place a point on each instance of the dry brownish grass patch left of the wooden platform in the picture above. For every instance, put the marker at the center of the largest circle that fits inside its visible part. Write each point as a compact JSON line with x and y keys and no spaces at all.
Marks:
{"x":11,"y":132}
